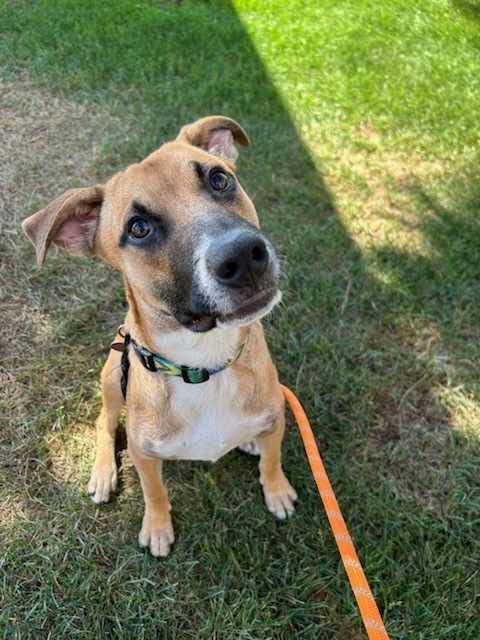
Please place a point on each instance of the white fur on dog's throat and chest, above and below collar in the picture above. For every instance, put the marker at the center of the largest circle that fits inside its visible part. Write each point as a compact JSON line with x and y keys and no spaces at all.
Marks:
{"x":201,"y":421}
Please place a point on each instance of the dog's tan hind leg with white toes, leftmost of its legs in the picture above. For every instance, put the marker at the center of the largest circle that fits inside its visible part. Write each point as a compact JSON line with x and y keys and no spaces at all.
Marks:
{"x":104,"y":473}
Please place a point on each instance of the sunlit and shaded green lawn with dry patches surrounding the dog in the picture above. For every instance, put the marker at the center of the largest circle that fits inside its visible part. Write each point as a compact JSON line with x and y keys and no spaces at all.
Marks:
{"x":363,"y":169}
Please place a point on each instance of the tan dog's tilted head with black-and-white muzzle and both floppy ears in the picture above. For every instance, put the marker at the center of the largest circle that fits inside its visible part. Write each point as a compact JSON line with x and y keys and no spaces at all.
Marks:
{"x":180,"y":228}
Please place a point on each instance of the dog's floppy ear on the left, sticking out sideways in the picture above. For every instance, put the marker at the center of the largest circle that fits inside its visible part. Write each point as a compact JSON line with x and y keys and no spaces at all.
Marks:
{"x":70,"y":221}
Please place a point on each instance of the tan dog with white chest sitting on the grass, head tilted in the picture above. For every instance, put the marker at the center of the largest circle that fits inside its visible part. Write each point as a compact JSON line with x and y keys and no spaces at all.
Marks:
{"x":198,"y":276}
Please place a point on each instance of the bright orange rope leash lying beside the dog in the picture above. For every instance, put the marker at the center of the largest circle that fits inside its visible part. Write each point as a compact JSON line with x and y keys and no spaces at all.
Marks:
{"x":368,"y":607}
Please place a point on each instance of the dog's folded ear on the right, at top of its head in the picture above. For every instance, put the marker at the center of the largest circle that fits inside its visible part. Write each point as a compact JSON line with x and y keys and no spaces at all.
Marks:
{"x":215,"y":134}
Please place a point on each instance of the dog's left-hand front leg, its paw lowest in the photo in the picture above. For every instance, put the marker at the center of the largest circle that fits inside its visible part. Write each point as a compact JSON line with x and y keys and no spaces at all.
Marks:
{"x":157,"y":529}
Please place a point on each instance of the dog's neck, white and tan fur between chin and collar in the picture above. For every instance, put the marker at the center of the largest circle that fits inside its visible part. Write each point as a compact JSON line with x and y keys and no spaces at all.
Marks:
{"x":161,"y":334}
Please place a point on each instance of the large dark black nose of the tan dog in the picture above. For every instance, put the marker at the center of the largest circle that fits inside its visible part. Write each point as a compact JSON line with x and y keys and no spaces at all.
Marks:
{"x":239,"y":261}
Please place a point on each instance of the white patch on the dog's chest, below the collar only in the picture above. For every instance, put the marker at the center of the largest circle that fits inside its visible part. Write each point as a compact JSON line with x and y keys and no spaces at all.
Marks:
{"x":209,"y":421}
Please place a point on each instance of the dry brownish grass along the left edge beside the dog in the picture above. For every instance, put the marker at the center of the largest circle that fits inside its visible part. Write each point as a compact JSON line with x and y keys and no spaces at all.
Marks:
{"x":49,"y":144}
